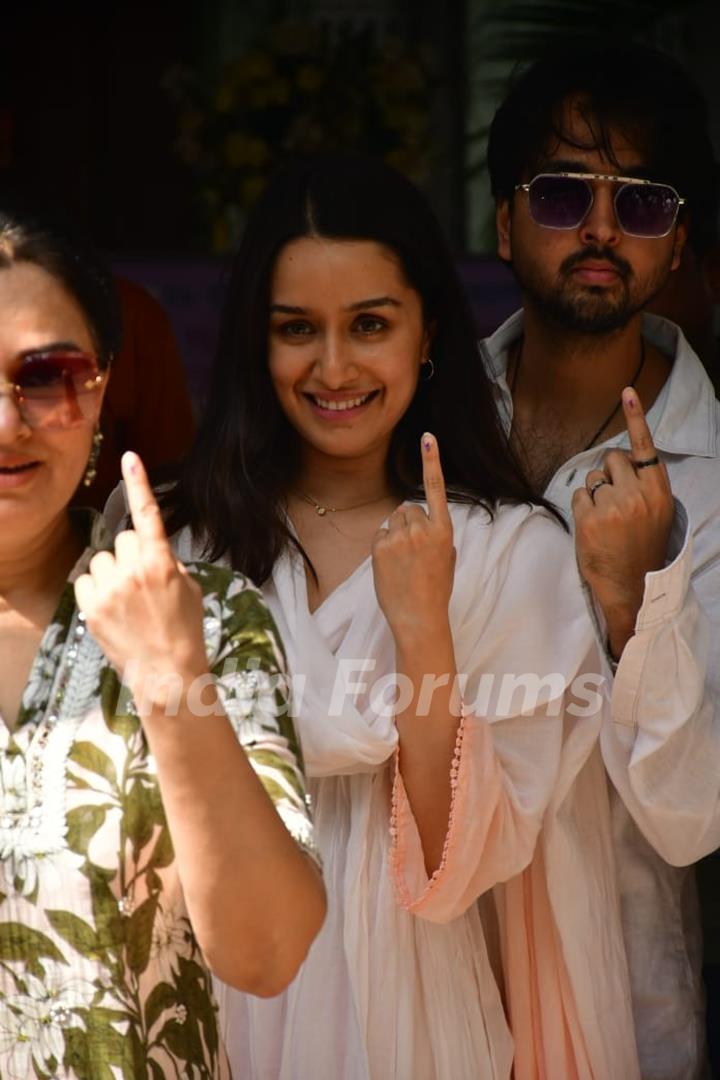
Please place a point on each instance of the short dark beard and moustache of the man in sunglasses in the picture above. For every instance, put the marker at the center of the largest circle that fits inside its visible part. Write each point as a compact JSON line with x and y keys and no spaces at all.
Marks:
{"x":589,"y":309}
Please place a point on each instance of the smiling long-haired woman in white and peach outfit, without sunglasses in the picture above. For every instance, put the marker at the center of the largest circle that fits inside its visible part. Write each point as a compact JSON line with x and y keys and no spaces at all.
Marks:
{"x":347,"y":370}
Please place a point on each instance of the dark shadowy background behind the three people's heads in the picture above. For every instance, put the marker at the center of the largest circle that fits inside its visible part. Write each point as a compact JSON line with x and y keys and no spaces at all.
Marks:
{"x":87,"y":118}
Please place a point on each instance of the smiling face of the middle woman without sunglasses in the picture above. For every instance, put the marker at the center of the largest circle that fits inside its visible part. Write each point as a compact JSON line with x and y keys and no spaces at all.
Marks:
{"x":348,"y":359}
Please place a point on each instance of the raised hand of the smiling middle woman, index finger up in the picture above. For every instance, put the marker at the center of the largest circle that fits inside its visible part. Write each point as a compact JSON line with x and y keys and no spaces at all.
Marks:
{"x":414,"y":559}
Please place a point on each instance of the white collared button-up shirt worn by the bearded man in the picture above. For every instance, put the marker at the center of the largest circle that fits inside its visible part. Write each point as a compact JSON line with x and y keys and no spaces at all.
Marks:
{"x":663,"y":748}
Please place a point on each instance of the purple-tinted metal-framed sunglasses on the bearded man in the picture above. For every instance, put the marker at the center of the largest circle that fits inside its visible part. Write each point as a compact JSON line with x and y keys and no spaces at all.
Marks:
{"x":564,"y":200}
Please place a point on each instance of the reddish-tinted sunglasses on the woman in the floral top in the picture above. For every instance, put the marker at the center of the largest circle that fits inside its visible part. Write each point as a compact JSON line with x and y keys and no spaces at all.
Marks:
{"x":57,"y":389}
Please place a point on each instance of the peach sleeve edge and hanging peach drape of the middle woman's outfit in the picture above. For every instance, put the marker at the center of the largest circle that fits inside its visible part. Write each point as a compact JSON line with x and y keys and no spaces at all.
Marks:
{"x":564,"y":965}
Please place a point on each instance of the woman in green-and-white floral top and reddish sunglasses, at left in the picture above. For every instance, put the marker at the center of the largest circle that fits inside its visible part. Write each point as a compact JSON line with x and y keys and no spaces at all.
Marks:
{"x":151,"y":830}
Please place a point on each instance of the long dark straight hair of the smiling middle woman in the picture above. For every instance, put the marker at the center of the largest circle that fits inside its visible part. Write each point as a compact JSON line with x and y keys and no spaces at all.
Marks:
{"x":233,"y":489}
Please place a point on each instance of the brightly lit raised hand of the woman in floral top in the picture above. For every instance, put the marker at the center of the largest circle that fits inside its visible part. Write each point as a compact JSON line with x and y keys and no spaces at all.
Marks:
{"x":144,"y":610}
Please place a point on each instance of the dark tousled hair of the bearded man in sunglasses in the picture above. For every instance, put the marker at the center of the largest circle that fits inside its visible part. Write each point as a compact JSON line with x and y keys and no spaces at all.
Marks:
{"x":630,"y":88}
